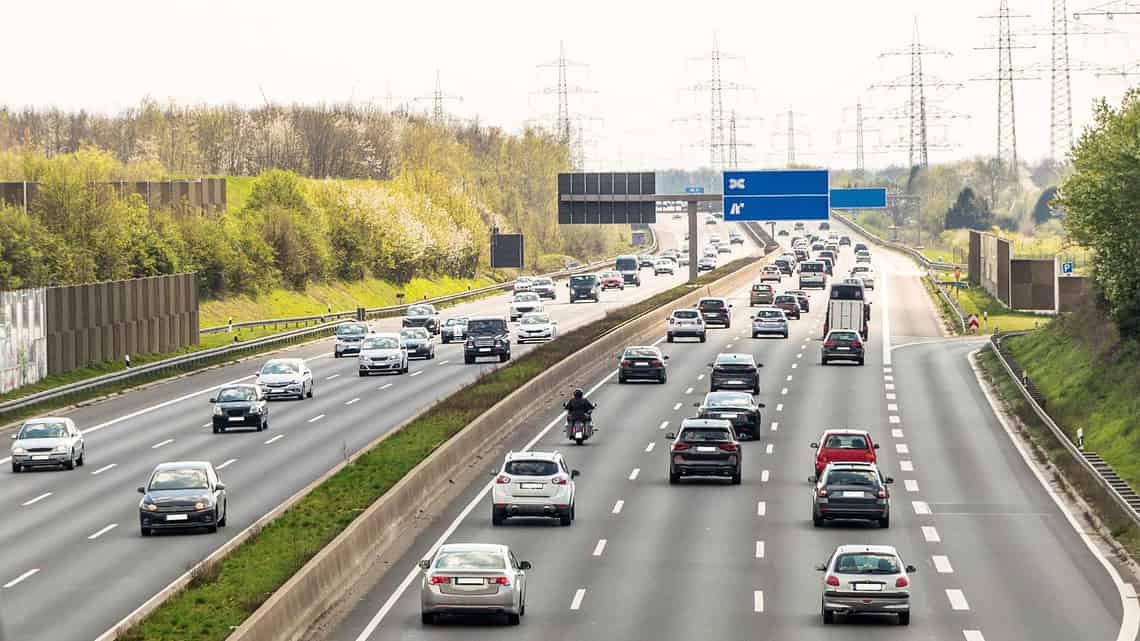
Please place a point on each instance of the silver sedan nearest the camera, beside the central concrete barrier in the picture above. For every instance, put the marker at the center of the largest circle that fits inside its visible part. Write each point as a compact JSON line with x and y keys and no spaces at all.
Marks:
{"x":474,"y":579}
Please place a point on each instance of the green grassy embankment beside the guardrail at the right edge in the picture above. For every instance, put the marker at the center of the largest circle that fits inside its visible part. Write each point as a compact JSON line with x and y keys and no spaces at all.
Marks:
{"x":1046,"y":447}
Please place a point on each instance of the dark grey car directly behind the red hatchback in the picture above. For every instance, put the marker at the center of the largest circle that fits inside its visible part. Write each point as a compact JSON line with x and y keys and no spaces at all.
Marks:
{"x":852,"y":491}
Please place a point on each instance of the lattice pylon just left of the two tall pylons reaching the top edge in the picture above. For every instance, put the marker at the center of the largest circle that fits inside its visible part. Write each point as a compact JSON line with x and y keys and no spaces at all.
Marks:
{"x":917,"y":109}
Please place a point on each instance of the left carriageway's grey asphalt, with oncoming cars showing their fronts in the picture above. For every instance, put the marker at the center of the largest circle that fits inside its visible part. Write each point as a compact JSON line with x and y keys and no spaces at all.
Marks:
{"x":75,"y":563}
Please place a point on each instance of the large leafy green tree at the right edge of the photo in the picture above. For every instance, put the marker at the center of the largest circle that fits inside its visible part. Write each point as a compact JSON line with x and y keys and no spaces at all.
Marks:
{"x":1102,"y":201}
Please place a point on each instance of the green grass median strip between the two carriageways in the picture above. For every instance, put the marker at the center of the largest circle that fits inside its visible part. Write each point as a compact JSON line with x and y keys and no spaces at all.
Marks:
{"x":224,"y":595}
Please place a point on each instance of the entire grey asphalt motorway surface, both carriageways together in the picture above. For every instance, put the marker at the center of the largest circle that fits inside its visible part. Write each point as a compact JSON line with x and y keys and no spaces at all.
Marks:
{"x":645,"y":561}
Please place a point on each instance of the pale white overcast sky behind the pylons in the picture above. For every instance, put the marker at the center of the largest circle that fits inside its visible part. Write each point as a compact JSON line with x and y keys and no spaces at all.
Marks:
{"x":816,"y":58}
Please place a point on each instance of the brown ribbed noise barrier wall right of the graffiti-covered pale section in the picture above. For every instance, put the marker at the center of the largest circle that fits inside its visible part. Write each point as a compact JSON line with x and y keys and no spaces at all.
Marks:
{"x":100,"y":322}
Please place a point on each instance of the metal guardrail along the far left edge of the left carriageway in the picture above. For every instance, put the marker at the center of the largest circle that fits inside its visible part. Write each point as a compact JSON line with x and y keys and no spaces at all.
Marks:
{"x":193,"y":361}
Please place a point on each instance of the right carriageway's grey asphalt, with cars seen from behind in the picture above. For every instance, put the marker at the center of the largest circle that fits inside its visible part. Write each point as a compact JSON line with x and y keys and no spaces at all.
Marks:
{"x":998,"y":558}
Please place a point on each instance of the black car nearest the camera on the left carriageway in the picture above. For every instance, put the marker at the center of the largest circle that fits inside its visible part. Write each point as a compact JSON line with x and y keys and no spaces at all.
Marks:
{"x":183,"y":496}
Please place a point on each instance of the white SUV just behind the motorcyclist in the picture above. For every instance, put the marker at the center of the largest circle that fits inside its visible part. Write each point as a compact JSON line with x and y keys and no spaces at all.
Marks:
{"x":534,"y":484}
